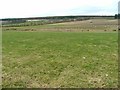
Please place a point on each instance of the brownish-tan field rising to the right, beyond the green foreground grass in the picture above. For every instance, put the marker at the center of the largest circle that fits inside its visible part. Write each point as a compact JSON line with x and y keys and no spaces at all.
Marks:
{"x":93,"y":25}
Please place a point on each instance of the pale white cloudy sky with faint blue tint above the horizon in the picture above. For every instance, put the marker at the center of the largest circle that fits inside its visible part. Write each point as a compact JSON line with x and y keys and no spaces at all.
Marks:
{"x":39,"y":8}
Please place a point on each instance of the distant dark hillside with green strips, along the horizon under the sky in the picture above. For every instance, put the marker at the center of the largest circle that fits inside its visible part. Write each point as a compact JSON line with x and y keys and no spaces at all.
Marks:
{"x":48,"y":20}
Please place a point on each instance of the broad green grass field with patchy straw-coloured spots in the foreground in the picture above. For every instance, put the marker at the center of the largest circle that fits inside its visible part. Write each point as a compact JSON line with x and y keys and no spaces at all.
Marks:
{"x":60,"y":59}
